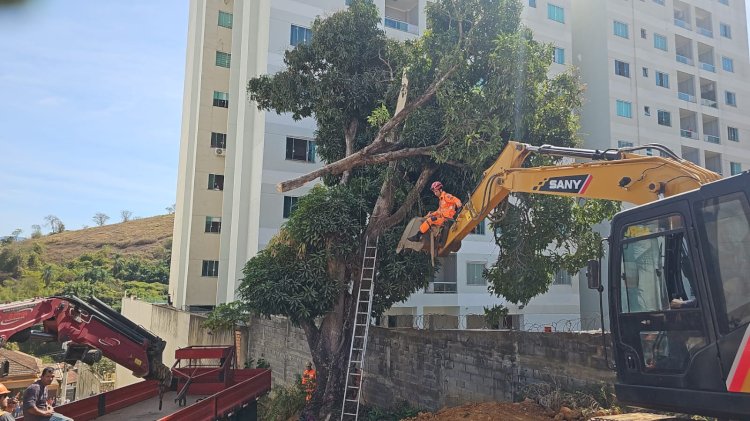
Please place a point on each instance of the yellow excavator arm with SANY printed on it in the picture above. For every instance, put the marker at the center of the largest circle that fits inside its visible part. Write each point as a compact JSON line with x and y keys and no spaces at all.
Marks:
{"x":613,"y":174}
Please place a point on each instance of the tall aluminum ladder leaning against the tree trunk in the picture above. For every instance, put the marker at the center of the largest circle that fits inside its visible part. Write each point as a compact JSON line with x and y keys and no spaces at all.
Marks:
{"x":350,"y":406}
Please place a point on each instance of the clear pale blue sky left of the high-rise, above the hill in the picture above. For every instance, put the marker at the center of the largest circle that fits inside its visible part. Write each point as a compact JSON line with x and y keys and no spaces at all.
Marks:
{"x":90,"y":109}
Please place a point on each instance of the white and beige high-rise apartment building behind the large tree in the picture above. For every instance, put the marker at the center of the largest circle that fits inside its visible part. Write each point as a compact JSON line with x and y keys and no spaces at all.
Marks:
{"x":672,"y":72}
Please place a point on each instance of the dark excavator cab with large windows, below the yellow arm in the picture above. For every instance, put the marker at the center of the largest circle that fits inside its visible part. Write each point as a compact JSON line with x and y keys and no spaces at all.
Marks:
{"x":679,"y":289}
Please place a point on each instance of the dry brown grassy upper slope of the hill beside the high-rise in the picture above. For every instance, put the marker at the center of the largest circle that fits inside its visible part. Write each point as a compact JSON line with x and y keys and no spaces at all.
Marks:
{"x":146,"y":238}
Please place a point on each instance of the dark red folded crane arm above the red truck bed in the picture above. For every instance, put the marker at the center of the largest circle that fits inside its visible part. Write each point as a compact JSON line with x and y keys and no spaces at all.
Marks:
{"x":90,"y":329}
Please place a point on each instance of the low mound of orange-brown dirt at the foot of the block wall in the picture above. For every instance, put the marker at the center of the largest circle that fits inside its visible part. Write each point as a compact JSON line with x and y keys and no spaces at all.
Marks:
{"x":489,"y":411}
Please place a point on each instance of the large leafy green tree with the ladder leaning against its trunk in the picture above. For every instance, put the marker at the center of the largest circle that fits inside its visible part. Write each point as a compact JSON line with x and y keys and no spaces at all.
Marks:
{"x":475,"y":80}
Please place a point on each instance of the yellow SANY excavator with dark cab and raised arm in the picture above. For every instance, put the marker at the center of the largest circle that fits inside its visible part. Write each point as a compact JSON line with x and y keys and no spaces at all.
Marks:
{"x":678,"y":267}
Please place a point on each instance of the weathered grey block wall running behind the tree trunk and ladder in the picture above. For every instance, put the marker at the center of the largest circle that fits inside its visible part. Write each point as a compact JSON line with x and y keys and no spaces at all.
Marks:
{"x":436,"y":368}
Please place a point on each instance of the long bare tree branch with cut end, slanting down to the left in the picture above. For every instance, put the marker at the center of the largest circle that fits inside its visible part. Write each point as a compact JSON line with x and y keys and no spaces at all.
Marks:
{"x":379,"y":142}
